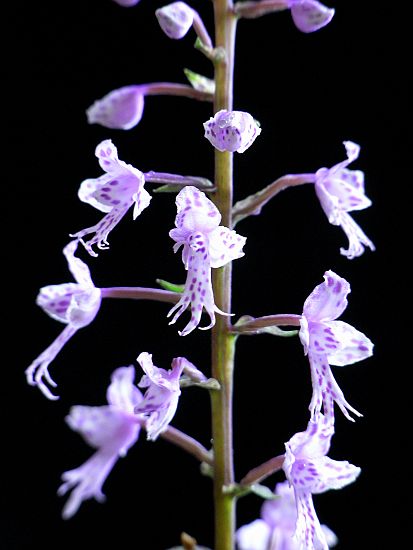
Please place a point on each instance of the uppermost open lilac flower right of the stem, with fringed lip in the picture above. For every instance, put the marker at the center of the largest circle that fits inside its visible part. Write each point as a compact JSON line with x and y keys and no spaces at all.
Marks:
{"x":340,"y":191}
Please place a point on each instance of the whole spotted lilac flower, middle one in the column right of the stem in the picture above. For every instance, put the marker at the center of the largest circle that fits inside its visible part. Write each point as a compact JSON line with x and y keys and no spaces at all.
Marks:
{"x":330,"y":342}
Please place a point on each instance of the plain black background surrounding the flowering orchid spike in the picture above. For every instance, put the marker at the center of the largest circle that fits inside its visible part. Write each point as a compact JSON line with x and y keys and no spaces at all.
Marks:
{"x":310,"y":92}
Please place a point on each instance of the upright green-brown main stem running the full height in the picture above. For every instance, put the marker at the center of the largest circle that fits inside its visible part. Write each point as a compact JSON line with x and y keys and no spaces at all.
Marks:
{"x":223,"y":342}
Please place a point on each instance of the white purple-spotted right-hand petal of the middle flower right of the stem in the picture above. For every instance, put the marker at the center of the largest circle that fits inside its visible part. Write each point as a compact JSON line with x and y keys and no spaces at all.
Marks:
{"x":354,"y":345}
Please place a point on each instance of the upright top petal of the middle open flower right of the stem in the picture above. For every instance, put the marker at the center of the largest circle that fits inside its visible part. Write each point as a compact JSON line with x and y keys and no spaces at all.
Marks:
{"x":328,"y":300}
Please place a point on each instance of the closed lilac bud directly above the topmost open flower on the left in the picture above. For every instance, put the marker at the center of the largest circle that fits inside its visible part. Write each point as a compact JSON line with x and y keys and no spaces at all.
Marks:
{"x":120,"y":109}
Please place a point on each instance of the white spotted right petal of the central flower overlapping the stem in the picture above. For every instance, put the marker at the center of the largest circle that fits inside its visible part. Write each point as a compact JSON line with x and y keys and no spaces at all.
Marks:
{"x":225,"y":245}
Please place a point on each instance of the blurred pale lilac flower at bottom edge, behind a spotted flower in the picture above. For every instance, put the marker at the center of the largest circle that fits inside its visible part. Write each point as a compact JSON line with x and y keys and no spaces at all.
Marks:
{"x":275,"y":529}
